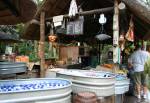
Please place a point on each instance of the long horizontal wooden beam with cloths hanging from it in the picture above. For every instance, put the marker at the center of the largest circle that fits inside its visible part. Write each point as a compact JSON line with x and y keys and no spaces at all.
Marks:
{"x":84,"y":13}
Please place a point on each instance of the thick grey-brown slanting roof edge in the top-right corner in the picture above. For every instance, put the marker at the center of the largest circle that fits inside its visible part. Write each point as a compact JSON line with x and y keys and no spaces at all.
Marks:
{"x":139,"y":9}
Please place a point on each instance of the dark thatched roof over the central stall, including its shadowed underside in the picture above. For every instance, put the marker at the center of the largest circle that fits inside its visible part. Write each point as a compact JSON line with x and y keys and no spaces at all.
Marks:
{"x":58,"y":7}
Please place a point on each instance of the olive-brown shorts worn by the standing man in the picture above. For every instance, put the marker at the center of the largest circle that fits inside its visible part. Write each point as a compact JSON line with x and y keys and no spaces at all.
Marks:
{"x":139,"y":78}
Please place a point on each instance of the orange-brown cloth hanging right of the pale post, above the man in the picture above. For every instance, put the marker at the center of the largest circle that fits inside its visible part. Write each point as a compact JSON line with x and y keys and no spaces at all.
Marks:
{"x":130,"y":33}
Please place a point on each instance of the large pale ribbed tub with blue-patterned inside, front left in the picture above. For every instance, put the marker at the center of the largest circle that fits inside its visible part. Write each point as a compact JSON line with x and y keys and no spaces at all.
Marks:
{"x":35,"y":91}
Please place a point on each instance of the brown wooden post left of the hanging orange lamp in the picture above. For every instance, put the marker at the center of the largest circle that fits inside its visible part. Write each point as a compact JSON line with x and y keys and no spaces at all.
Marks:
{"x":41,"y":44}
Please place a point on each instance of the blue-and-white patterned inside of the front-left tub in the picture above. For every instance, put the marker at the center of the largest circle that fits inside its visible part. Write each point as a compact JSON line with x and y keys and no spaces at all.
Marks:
{"x":8,"y":86}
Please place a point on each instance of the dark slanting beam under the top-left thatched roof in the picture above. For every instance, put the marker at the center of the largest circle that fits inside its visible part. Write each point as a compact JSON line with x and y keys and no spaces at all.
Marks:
{"x":11,"y":7}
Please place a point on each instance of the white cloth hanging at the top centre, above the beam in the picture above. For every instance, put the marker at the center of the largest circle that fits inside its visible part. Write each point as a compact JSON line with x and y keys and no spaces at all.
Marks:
{"x":73,"y":10}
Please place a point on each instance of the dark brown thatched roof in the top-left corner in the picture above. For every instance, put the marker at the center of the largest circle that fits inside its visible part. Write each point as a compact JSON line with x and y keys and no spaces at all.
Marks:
{"x":16,"y":11}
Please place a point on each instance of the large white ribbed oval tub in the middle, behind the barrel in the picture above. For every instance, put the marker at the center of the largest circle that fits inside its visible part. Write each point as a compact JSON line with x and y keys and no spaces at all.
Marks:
{"x":102,"y":83}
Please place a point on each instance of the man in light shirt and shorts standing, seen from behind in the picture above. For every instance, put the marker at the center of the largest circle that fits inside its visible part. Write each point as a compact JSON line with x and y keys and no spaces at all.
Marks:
{"x":137,"y":61}
